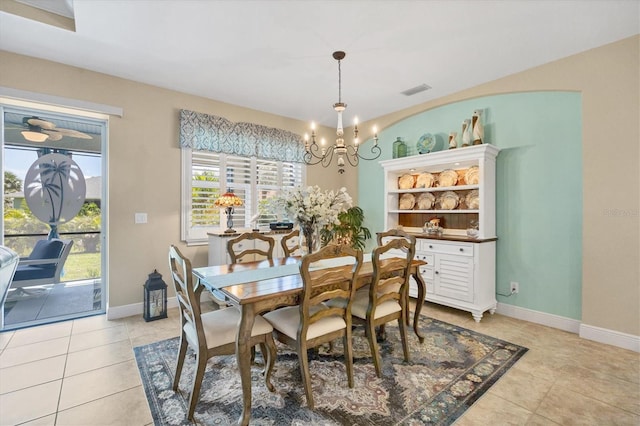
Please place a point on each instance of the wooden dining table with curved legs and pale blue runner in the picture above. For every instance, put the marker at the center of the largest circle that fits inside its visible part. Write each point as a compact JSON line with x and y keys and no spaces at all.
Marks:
{"x":261,"y":286}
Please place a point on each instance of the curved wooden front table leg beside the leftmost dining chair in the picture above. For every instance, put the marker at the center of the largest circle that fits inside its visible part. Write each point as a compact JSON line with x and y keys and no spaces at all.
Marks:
{"x":243,"y":355}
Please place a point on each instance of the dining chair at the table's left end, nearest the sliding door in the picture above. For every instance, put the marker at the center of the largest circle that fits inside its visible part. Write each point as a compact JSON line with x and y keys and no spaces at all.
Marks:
{"x":212,"y":333}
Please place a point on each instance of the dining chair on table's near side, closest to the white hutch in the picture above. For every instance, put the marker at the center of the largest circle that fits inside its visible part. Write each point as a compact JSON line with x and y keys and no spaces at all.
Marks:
{"x":386,"y":297}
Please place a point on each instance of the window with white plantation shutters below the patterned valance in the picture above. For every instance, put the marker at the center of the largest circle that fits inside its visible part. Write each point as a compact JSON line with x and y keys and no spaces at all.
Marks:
{"x":206,"y":175}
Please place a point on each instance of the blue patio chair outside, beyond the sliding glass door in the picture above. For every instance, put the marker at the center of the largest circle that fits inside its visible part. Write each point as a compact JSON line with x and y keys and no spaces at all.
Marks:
{"x":44,"y":264}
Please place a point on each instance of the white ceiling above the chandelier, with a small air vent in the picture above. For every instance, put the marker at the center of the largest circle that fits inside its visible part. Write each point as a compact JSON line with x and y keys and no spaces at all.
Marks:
{"x":275,"y":56}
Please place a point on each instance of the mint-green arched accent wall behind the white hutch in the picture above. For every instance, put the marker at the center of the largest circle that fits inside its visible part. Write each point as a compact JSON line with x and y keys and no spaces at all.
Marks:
{"x":539,"y":189}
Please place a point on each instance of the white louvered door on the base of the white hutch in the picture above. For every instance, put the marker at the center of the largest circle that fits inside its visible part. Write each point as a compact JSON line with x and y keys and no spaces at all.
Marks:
{"x":454,"y":277}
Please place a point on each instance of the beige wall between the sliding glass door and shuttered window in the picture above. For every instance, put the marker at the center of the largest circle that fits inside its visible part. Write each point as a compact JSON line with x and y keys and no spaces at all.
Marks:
{"x":143,"y":152}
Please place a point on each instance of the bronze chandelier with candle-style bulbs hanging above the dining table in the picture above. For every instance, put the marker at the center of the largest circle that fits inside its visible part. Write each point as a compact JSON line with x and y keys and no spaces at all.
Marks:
{"x":315,"y":153}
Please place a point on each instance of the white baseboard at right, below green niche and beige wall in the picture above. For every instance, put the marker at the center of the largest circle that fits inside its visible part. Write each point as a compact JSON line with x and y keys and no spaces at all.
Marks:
{"x":597,"y":334}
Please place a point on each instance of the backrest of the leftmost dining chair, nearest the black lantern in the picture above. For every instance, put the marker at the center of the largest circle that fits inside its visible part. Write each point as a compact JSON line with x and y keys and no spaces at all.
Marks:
{"x":188,"y":301}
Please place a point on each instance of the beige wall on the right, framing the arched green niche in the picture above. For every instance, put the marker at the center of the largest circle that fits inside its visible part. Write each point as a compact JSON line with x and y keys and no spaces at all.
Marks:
{"x":609,"y":80}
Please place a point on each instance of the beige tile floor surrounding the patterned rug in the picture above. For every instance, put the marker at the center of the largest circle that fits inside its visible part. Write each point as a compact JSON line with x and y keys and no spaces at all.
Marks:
{"x":83,"y":372}
